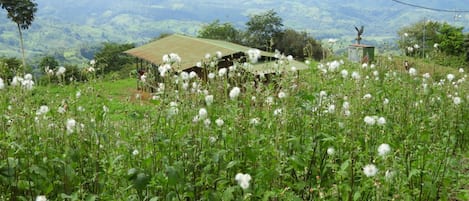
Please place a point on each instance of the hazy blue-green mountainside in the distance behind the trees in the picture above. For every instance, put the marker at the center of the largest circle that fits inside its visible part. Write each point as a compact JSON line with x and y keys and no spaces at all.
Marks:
{"x":64,"y":27}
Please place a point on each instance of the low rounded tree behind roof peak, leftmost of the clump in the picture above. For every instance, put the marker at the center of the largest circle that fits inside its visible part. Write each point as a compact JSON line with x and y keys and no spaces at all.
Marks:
{"x":218,"y":31}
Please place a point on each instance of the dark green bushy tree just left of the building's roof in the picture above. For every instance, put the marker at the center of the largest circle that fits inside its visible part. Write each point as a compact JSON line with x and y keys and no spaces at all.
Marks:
{"x":111,"y":57}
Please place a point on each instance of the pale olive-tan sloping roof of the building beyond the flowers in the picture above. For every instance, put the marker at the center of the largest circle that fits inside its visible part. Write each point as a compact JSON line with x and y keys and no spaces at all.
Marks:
{"x":192,"y":50}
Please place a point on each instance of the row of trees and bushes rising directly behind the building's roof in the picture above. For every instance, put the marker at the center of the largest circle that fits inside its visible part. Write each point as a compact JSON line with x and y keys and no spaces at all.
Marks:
{"x":265,"y":31}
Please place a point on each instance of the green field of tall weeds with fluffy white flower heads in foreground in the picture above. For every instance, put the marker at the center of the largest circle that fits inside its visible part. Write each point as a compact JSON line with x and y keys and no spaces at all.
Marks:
{"x":338,"y":131}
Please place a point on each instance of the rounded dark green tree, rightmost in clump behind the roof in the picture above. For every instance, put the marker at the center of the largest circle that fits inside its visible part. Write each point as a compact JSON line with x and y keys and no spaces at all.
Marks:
{"x":298,"y":44}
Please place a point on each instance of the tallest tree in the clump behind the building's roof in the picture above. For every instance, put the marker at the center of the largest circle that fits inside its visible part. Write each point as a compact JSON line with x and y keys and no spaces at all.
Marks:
{"x":262,"y":29}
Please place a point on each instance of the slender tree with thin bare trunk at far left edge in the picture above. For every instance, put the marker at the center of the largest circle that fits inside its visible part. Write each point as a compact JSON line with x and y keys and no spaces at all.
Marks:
{"x":22,"y":13}
